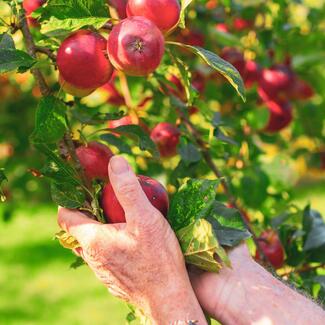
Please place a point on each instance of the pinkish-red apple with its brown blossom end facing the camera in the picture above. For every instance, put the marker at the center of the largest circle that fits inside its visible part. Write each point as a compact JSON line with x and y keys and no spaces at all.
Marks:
{"x":136,"y":46}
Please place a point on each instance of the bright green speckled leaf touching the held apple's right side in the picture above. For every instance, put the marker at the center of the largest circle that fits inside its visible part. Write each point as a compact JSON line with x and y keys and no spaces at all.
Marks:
{"x":192,"y":202}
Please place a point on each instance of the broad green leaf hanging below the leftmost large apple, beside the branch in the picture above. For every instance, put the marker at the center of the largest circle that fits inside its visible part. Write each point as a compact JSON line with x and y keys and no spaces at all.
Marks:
{"x":50,"y":124}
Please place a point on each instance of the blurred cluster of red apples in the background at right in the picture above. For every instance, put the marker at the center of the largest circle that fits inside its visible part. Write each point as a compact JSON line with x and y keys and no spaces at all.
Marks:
{"x":277,"y":87}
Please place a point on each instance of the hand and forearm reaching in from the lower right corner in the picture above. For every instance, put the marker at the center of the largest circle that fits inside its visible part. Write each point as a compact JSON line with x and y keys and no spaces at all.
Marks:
{"x":248,"y":294}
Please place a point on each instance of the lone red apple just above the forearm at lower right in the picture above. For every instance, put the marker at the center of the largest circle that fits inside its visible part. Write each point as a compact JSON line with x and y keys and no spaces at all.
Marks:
{"x":272,"y":248}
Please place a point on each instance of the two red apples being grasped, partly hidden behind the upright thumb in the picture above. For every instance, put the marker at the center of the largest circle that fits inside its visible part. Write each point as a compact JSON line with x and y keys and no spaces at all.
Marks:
{"x":94,"y":159}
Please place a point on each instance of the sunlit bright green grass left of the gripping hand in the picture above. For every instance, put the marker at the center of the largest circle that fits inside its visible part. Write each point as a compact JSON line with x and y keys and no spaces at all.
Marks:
{"x":36,"y":284}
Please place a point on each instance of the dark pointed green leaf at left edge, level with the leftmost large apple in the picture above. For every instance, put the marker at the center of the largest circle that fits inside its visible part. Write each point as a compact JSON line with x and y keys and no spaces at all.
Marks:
{"x":12,"y":59}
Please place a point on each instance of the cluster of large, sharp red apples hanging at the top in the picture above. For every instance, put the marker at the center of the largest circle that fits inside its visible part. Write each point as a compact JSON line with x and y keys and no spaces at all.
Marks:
{"x":86,"y":60}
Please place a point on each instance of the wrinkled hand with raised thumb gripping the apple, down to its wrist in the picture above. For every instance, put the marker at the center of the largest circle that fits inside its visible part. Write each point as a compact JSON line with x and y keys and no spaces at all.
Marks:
{"x":140,"y":261}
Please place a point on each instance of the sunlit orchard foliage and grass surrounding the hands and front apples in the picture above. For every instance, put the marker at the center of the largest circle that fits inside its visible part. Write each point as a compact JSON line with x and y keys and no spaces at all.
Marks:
{"x":265,"y":145}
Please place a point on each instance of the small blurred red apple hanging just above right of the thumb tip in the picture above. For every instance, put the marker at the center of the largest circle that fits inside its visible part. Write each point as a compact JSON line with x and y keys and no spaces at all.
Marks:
{"x":166,"y":136}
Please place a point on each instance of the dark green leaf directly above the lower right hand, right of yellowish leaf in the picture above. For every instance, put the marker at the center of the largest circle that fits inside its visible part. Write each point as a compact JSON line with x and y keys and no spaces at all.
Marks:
{"x":228,"y":225}
